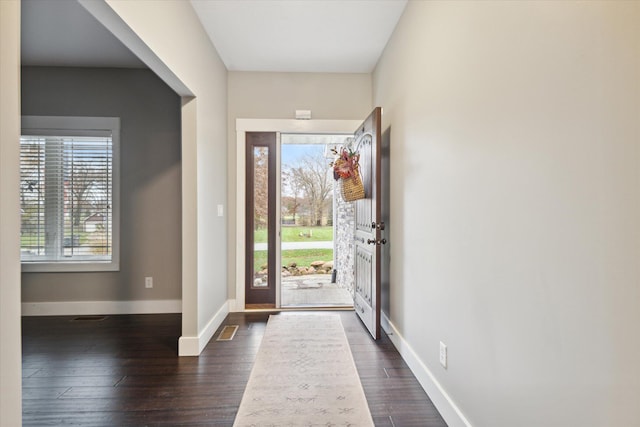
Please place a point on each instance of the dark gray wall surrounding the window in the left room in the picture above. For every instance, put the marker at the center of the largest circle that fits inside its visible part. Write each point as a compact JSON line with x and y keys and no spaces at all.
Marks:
{"x":150,"y":200}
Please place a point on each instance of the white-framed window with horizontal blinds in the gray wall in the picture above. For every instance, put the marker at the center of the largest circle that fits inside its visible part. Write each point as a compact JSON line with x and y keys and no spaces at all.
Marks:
{"x":68,"y":193}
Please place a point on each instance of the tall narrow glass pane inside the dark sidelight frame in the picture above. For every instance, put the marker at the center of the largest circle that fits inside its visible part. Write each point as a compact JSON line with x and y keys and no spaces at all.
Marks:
{"x":260,"y":217}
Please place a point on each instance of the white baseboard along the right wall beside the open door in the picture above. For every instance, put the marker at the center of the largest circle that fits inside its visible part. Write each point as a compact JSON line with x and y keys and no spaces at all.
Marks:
{"x":443,"y":402}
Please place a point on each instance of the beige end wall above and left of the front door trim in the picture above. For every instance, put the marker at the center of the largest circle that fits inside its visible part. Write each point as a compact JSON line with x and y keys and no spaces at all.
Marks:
{"x":269,"y":95}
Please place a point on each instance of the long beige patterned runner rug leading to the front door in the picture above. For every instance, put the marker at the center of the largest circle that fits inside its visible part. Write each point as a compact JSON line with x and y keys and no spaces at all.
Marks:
{"x":304,"y":375}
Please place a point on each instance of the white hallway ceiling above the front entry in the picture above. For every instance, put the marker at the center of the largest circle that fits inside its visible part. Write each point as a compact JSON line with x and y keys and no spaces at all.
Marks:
{"x":300,"y":35}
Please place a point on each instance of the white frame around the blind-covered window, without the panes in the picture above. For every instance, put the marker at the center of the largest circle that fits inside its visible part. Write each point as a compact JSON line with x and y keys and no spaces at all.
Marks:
{"x":81,"y":126}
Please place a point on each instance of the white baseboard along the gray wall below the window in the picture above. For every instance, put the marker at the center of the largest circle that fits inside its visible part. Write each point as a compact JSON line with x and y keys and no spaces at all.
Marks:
{"x":80,"y":308}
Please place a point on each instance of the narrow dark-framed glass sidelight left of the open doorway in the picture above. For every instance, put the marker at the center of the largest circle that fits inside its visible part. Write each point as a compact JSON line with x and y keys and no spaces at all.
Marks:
{"x":260,"y":286}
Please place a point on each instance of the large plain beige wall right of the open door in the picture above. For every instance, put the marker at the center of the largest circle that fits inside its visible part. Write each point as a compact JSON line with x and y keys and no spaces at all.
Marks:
{"x":515,"y":205}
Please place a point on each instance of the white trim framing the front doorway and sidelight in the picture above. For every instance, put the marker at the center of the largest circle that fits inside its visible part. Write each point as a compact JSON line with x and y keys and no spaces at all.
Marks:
{"x":279,"y":126}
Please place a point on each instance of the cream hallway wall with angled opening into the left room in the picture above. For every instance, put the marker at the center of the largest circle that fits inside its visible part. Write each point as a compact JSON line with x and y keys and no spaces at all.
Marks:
{"x":169,"y":38}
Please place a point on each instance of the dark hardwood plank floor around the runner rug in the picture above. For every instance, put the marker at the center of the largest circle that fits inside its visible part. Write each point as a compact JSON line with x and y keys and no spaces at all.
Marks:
{"x":123,"y":371}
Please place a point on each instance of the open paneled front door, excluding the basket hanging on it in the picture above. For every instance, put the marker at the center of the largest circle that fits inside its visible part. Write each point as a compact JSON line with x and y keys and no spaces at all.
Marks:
{"x":369,"y":234}
